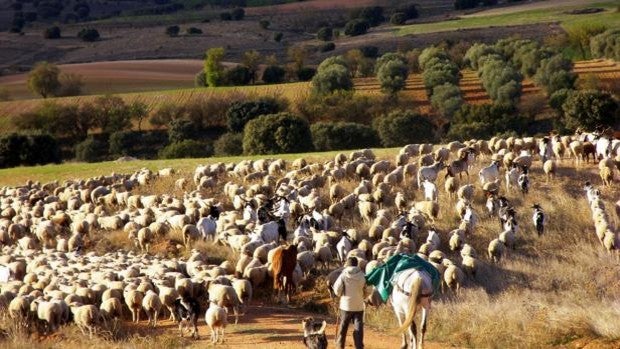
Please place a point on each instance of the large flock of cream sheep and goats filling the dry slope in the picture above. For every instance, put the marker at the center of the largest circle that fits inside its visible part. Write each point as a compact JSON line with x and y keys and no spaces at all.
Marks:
{"x":352,"y":205}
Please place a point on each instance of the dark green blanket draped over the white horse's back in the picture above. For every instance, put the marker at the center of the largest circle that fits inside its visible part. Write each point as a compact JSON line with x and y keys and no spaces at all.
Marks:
{"x":381,"y":277}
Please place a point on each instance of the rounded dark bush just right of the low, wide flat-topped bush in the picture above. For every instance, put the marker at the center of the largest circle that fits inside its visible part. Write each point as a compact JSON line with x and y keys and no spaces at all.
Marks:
{"x":404,"y":127}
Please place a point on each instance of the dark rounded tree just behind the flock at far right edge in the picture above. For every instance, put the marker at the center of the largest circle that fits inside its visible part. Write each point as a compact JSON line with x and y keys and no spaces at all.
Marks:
{"x":590,"y":109}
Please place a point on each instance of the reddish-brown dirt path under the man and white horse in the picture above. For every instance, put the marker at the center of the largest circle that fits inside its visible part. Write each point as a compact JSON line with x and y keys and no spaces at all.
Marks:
{"x":268,"y":326}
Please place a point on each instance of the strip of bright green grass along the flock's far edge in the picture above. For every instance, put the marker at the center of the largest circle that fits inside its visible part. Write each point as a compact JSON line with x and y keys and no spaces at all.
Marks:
{"x":74,"y":170}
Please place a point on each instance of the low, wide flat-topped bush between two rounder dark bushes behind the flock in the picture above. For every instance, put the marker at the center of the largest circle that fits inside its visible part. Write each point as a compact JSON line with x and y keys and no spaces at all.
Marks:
{"x":342,"y":135}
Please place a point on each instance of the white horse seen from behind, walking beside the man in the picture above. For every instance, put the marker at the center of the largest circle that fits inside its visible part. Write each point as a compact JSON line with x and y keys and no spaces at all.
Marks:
{"x":413,"y":290}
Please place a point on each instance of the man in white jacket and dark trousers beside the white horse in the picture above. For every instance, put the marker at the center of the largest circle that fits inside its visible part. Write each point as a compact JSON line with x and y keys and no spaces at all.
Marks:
{"x":351,"y":287}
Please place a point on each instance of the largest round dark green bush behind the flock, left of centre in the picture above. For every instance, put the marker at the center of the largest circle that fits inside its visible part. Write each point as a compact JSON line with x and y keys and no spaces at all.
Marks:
{"x":277,"y":134}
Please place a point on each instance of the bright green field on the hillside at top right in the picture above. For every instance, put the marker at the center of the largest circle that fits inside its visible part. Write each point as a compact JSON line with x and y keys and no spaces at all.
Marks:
{"x":610,"y":18}
